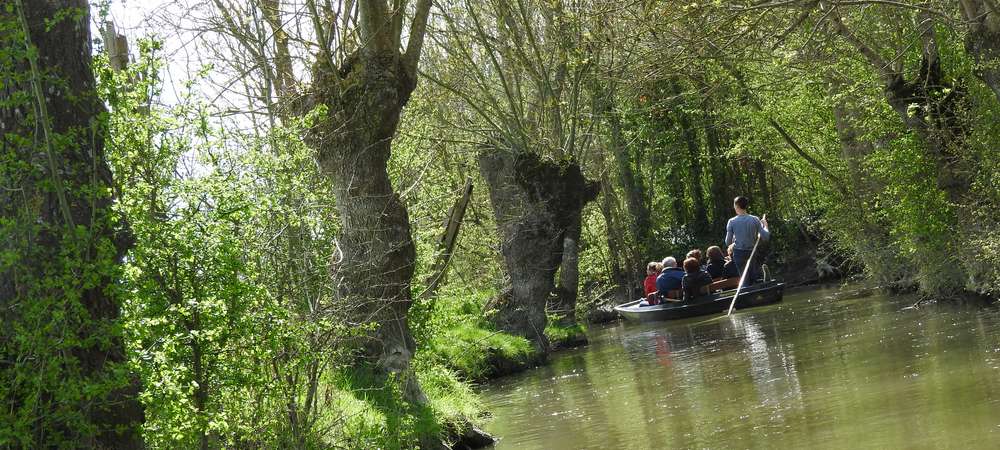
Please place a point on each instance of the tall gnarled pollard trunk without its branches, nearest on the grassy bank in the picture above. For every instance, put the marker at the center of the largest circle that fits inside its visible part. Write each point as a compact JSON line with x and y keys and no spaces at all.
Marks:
{"x":364,"y":99}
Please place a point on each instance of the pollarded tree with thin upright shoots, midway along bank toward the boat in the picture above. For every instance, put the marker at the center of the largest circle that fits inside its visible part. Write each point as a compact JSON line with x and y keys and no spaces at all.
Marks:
{"x":521,"y":68}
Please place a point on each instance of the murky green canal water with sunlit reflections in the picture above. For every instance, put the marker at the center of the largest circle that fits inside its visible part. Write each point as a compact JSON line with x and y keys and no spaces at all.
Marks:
{"x":814,"y":371}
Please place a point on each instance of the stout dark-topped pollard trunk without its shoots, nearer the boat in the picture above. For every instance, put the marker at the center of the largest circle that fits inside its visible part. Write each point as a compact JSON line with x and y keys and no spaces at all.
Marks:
{"x":535,"y":202}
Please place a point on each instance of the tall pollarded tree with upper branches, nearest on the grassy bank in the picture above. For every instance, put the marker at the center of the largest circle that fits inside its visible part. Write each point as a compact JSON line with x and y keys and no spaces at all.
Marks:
{"x":360,"y":74}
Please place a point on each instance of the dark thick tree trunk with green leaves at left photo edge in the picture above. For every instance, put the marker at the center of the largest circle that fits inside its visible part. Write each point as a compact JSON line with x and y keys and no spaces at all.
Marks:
{"x":58,"y":291}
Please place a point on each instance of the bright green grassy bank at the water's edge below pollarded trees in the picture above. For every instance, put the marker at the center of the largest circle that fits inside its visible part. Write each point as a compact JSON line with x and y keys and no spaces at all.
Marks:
{"x":459,"y":349}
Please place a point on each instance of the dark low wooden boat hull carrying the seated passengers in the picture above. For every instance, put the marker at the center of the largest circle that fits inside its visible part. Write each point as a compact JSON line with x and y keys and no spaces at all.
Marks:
{"x":759,"y":294}
